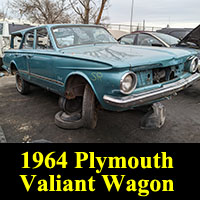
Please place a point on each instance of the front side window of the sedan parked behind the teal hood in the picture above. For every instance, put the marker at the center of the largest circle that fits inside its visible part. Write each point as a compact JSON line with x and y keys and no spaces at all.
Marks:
{"x":147,"y":40}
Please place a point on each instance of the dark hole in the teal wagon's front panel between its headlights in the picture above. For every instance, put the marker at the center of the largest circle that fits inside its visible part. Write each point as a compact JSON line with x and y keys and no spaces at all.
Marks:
{"x":162,"y":75}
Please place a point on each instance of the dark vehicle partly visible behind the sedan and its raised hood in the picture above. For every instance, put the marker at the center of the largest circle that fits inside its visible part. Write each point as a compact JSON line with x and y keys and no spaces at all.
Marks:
{"x":179,"y":33}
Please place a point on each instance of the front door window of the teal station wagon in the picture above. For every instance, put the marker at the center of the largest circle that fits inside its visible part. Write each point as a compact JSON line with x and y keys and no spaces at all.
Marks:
{"x":43,"y":41}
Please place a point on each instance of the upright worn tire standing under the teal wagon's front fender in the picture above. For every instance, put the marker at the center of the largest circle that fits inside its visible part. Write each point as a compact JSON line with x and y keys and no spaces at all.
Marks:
{"x":89,"y":111}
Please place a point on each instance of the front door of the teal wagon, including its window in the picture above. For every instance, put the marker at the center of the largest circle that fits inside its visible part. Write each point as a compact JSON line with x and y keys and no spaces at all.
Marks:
{"x":42,"y":62}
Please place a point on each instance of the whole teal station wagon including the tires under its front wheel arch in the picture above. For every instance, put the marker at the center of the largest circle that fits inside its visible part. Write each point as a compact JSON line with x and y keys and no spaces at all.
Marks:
{"x":85,"y":65}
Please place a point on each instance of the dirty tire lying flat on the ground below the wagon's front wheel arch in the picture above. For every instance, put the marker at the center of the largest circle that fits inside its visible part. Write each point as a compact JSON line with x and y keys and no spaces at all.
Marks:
{"x":67,"y":124}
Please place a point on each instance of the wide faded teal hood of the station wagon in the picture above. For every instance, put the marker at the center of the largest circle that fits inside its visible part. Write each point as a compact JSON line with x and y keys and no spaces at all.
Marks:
{"x":118,"y":55}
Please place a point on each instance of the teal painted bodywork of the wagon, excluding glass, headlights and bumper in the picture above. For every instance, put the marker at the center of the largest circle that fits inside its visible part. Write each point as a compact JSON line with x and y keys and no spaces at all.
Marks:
{"x":101,"y":65}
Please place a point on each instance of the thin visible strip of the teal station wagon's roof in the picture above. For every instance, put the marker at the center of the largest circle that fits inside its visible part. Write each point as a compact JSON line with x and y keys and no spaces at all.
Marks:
{"x":52,"y":25}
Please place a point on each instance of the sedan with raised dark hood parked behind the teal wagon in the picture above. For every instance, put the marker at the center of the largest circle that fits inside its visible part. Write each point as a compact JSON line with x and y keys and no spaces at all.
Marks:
{"x":145,"y":38}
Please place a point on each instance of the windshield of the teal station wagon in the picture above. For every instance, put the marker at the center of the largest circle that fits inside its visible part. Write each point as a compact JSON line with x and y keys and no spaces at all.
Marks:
{"x":69,"y":36}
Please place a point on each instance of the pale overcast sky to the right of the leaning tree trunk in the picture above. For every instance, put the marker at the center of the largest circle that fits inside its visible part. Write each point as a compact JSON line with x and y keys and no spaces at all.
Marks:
{"x":183,"y":13}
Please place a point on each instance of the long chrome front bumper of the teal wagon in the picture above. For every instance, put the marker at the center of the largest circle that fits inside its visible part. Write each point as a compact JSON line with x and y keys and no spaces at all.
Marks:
{"x":152,"y":95}
